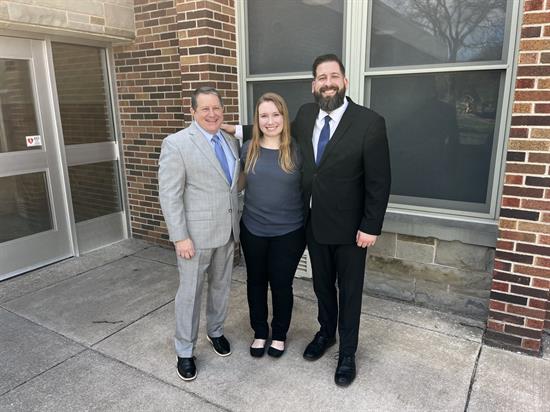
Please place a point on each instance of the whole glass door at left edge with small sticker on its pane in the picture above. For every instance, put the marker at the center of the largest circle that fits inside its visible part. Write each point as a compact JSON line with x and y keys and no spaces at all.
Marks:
{"x":34,"y":228}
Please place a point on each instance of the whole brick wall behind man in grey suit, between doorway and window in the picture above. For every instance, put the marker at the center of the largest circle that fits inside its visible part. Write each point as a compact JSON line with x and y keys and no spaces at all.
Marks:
{"x":180,"y":45}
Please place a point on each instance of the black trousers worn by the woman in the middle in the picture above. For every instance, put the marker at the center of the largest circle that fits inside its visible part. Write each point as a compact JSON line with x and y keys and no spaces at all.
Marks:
{"x":273,"y":261}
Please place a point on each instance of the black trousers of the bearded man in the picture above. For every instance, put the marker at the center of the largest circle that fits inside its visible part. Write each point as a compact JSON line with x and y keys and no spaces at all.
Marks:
{"x":345,"y":265}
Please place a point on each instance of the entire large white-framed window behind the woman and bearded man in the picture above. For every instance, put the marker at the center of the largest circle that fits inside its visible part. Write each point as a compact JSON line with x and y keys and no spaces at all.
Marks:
{"x":439,"y":71}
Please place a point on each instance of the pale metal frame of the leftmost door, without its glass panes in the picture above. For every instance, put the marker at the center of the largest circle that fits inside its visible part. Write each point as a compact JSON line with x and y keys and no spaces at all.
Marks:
{"x":57,"y":243}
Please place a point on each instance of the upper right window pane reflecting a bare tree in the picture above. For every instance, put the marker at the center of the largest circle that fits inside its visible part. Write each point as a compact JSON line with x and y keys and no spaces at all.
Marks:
{"x":414,"y":32}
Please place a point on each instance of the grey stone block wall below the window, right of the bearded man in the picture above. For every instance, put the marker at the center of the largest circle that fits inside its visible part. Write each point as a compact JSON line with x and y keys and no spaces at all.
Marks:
{"x":450,"y":276}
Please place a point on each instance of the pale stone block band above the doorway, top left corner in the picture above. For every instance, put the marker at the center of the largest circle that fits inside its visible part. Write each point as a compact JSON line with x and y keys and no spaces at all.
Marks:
{"x":113,"y":19}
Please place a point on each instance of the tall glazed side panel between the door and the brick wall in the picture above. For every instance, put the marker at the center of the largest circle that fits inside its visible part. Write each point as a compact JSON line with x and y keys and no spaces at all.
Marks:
{"x":88,"y":129}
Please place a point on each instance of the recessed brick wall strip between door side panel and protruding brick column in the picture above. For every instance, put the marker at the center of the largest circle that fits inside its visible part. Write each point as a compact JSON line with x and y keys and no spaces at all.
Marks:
{"x":149,"y":98}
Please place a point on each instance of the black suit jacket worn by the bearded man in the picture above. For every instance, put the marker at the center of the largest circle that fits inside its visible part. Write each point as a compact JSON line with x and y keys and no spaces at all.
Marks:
{"x":349,"y":190}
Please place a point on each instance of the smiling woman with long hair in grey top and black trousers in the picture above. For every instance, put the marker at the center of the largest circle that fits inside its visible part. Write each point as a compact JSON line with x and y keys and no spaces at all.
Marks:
{"x":272,"y":225}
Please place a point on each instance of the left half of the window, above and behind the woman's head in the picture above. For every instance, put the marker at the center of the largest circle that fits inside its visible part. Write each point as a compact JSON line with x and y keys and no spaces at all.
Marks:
{"x":283,"y":37}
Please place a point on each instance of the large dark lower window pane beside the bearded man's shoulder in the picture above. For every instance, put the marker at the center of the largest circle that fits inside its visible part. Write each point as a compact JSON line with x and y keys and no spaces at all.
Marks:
{"x":441,"y":131}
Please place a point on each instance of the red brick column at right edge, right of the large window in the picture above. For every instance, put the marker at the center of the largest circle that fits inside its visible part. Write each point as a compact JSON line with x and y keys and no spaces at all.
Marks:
{"x":520,"y":292}
